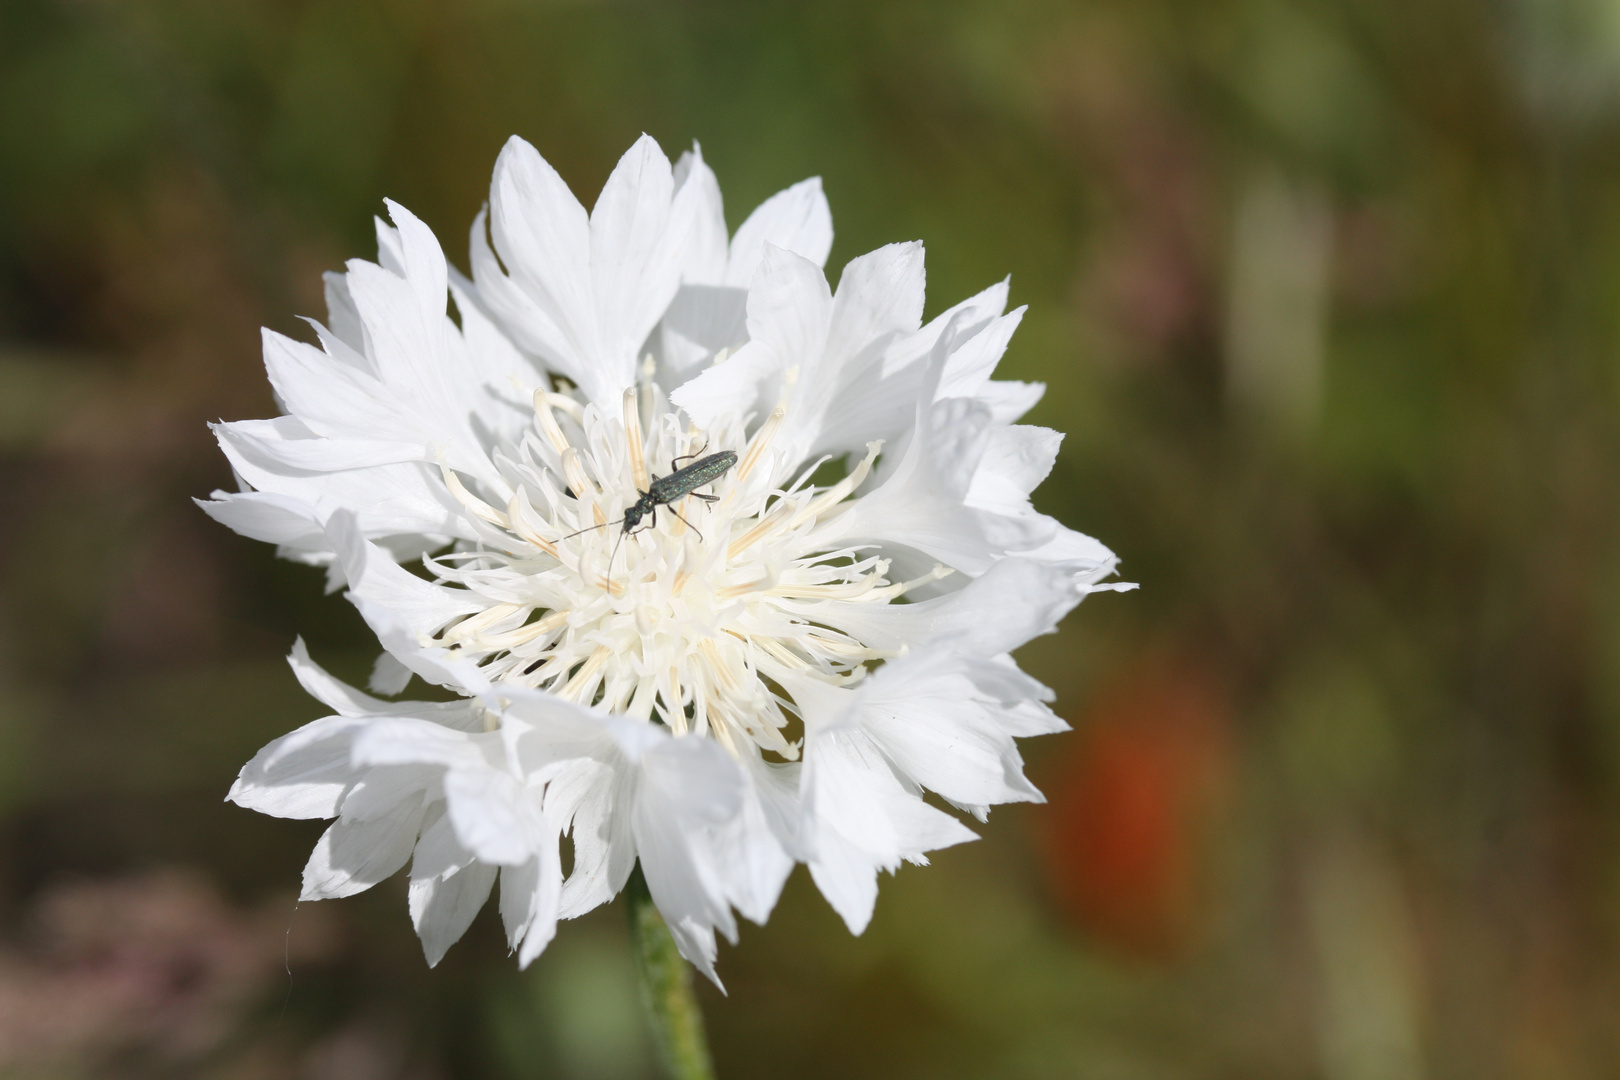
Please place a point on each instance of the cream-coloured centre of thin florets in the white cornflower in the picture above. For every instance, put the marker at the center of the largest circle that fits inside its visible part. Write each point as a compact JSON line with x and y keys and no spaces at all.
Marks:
{"x":694,"y":611}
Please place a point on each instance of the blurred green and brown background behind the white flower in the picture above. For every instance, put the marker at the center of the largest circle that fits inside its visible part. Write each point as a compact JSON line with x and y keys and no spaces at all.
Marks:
{"x":1326,"y":299}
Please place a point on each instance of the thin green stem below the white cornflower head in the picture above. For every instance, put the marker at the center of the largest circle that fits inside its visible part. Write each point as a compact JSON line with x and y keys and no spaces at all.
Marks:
{"x":667,"y":989}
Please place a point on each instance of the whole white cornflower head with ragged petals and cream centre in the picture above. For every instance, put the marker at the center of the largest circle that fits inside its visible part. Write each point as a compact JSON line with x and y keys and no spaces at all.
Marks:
{"x":814,"y":632}
